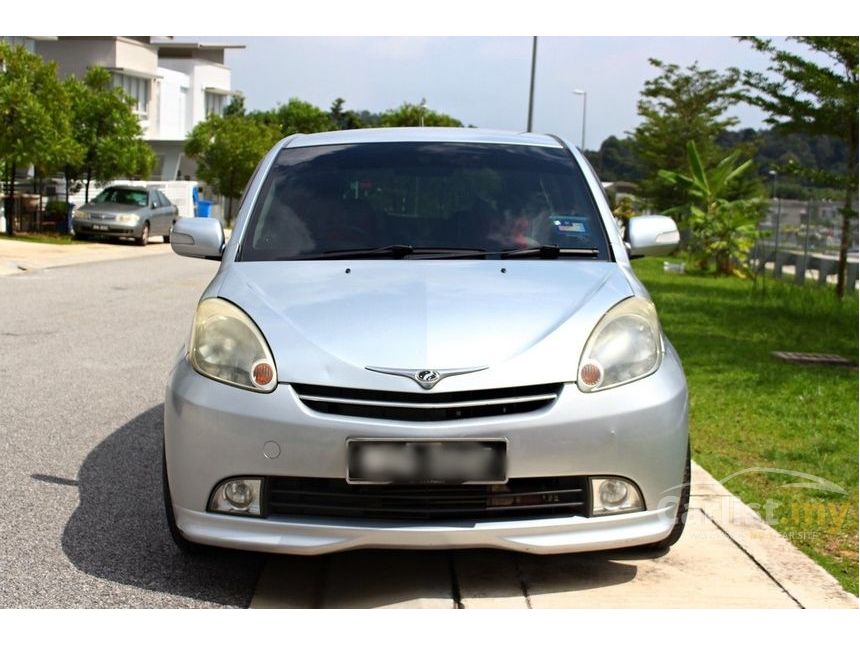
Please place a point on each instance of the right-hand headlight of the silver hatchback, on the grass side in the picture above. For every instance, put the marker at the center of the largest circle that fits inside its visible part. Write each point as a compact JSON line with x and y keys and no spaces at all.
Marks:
{"x":625,"y":345}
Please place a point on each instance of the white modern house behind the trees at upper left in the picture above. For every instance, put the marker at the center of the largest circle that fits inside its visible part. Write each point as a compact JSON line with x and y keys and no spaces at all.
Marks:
{"x":175,"y":85}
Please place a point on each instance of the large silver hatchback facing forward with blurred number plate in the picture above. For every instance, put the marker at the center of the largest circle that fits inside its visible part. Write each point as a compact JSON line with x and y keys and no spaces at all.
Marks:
{"x":425,"y":338}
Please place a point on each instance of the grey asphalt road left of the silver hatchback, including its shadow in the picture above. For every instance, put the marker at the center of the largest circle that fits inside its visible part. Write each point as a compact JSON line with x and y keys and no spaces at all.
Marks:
{"x":84,"y":356}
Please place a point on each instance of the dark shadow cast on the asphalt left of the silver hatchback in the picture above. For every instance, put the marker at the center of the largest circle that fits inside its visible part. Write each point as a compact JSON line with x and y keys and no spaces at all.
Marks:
{"x":119,"y":531}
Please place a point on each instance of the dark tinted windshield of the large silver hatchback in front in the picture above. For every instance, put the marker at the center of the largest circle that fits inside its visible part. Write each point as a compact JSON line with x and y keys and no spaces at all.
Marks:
{"x":490,"y":197}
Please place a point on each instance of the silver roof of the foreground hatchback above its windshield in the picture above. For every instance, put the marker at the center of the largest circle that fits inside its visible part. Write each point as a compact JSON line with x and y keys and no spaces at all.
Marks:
{"x":392,"y":135}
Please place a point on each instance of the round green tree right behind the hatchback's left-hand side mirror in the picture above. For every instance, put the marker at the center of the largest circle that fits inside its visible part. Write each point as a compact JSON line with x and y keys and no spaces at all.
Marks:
{"x":227,"y":150}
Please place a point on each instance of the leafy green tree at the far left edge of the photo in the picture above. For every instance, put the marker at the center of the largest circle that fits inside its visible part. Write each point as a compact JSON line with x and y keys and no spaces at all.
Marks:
{"x":34,"y":124}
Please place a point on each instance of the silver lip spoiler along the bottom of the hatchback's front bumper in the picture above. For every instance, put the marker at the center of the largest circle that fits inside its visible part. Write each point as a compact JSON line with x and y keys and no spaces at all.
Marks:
{"x":309,"y":536}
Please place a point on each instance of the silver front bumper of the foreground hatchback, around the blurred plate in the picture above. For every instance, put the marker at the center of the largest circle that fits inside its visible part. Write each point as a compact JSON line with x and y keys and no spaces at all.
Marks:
{"x":638,"y":431}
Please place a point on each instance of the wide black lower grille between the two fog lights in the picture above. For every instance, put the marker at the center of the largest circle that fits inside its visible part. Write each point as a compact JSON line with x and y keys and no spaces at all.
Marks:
{"x":525,"y":497}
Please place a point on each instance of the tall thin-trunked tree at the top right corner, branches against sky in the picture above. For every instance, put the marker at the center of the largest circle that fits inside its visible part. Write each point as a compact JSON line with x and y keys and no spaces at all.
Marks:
{"x":810,"y":97}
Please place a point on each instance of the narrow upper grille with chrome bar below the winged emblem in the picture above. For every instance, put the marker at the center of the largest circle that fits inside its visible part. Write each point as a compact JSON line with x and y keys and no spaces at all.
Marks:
{"x":443,"y":406}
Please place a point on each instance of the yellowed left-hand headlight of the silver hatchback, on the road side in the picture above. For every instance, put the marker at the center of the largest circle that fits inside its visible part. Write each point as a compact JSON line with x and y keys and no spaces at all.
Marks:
{"x":227,"y":346}
